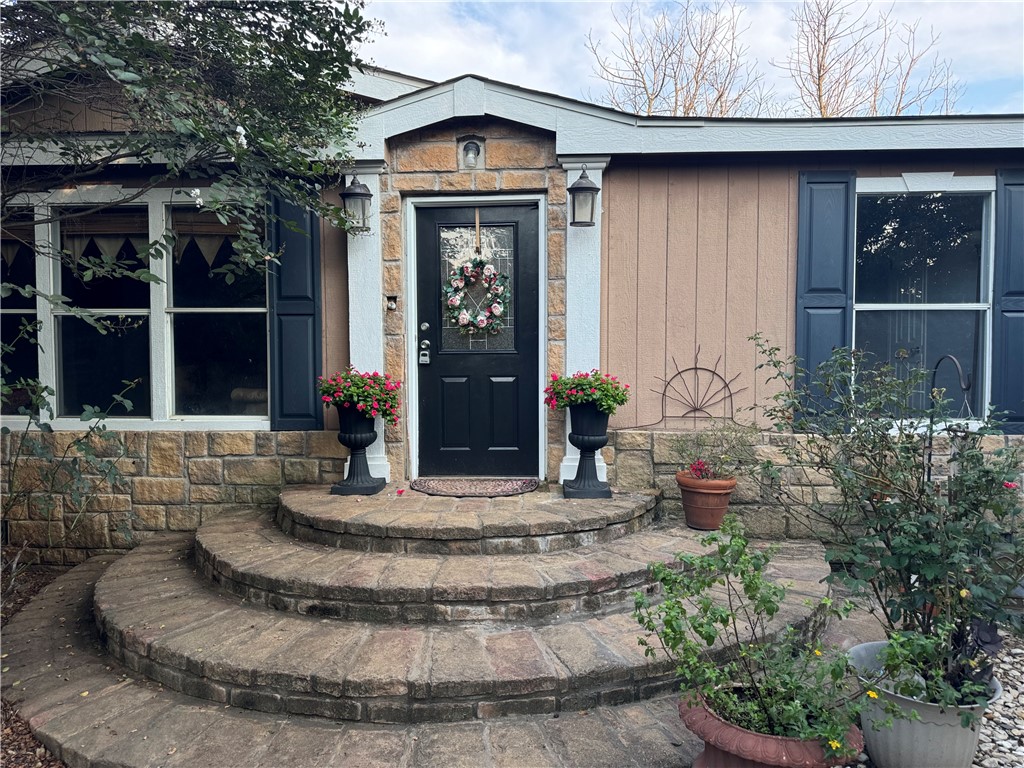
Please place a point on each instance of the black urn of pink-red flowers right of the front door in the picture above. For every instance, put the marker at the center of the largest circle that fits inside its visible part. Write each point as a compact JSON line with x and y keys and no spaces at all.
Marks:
{"x":591,"y":399}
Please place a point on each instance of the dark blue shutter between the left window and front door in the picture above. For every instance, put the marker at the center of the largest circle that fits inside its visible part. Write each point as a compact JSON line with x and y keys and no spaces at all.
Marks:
{"x":295,"y":320}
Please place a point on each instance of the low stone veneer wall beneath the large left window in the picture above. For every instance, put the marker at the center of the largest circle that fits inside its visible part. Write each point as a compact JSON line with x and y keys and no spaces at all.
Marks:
{"x":172,"y":482}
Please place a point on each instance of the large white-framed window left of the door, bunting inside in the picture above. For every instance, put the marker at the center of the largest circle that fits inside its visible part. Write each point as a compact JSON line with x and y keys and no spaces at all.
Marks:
{"x":196,"y":346}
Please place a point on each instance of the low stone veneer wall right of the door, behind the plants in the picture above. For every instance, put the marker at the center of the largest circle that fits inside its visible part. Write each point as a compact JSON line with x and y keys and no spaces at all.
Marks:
{"x":645,"y":459}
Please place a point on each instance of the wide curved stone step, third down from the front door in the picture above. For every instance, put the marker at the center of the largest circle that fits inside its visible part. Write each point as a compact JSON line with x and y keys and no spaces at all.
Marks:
{"x":162,"y":621}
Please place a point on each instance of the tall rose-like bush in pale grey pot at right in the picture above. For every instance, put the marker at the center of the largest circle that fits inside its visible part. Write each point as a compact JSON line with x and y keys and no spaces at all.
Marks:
{"x":924,"y":514}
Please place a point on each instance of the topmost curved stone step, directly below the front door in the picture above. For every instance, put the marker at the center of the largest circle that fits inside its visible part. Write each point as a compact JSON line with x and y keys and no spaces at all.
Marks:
{"x":415,"y":523}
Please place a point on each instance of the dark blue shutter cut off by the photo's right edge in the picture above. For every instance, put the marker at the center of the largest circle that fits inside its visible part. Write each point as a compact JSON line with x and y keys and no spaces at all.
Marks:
{"x":1008,"y":301}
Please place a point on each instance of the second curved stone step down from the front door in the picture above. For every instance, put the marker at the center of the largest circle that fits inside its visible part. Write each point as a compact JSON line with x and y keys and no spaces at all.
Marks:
{"x":249,"y":557}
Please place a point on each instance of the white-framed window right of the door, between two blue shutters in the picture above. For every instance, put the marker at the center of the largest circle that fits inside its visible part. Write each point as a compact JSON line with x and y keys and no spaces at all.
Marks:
{"x":923,"y":278}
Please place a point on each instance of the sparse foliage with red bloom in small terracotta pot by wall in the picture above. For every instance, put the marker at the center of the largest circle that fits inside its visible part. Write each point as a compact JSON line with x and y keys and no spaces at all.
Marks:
{"x":722,"y":449}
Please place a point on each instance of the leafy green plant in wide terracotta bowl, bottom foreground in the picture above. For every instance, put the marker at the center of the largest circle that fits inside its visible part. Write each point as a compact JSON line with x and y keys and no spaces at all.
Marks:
{"x":776,"y":698}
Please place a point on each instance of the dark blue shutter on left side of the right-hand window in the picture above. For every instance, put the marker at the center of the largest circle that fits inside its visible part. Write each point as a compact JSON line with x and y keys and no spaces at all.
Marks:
{"x":825,"y":265}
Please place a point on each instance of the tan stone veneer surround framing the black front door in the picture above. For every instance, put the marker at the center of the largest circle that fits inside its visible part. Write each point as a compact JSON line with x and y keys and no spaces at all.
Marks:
{"x":517,"y":159}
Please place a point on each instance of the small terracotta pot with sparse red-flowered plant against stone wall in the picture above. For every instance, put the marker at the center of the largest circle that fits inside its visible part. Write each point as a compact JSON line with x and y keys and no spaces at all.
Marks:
{"x":710,"y":460}
